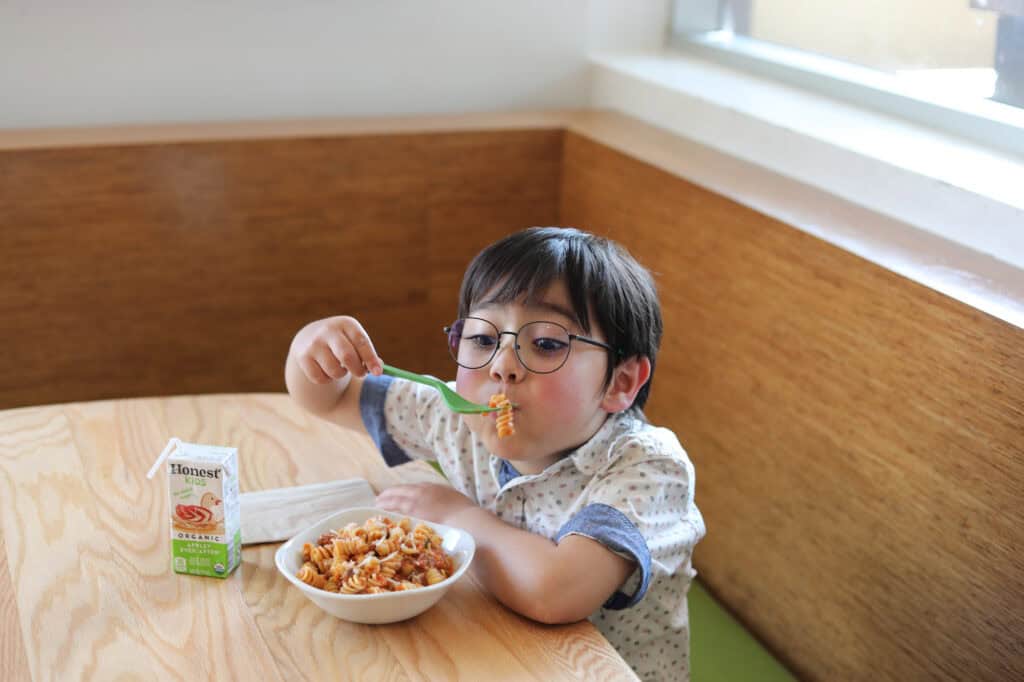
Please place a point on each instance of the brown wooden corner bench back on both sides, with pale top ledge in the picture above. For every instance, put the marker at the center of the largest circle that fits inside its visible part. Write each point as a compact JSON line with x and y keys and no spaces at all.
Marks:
{"x":859,"y":439}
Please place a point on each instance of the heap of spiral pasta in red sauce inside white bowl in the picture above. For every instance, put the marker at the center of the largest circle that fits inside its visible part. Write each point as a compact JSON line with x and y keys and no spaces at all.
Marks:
{"x":378,"y":557}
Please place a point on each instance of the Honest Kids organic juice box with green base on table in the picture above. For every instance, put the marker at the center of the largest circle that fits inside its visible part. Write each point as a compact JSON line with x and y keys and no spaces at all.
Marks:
{"x":206,"y":531}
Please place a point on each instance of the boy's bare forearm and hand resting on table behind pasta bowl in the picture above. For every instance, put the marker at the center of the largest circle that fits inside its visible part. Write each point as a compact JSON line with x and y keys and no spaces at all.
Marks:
{"x":526,"y":572}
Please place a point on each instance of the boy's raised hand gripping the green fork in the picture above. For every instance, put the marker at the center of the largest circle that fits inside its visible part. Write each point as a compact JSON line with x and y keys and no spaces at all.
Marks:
{"x":330,"y":349}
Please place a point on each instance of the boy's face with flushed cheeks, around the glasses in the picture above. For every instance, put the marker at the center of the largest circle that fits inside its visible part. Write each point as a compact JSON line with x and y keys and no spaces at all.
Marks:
{"x":556,"y":413}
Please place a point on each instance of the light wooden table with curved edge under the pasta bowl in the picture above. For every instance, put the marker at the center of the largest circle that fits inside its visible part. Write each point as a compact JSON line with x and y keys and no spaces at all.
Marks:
{"x":87,"y":590}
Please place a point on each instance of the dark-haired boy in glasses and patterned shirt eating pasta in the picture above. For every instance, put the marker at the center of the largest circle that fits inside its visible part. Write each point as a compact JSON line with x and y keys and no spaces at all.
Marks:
{"x":587,"y":510}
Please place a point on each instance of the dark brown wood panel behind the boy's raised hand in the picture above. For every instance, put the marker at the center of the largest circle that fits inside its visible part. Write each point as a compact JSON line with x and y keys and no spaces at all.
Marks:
{"x":155,"y":270}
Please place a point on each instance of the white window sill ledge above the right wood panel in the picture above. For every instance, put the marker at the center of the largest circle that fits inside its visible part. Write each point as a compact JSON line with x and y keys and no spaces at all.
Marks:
{"x":899,"y":194}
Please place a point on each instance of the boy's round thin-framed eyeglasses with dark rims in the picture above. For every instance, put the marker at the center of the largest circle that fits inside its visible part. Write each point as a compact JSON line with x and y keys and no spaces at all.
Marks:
{"x":542,"y":348}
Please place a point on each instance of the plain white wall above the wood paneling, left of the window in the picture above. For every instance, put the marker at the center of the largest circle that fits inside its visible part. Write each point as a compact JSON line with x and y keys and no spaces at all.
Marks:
{"x":66,"y":63}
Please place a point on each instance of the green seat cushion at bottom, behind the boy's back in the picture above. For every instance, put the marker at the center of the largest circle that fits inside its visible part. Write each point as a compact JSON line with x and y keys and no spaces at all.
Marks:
{"x":721,"y":651}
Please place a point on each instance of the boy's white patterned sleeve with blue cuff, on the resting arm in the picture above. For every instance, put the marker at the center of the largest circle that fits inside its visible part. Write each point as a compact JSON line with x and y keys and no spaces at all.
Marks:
{"x":644,"y":510}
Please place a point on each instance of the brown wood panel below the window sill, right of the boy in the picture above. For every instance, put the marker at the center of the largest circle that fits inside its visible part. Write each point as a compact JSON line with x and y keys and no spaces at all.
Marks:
{"x":859,"y":439}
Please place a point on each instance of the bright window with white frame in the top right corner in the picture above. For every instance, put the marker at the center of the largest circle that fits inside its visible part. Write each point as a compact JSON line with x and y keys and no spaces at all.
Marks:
{"x":955,"y":65}
